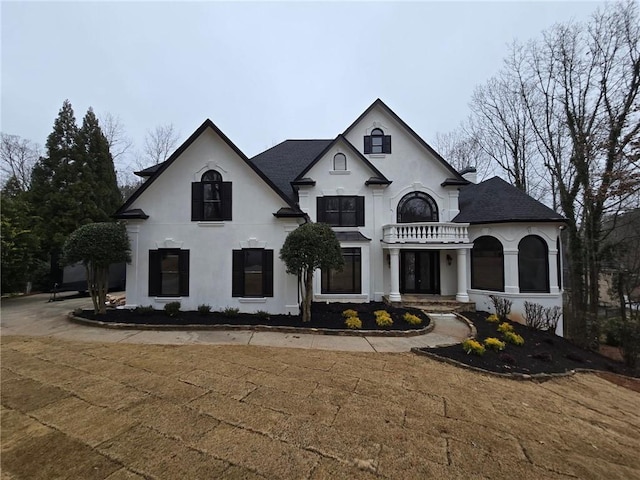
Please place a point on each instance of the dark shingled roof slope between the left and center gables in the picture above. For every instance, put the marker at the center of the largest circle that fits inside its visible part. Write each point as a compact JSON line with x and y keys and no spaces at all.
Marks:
{"x":283,"y":163}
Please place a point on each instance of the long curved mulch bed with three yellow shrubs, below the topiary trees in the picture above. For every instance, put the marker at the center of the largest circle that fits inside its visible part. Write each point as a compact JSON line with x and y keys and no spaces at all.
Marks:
{"x":330,"y":316}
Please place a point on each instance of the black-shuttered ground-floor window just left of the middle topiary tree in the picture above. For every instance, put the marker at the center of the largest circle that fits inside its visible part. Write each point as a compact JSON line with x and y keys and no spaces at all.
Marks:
{"x":252,"y":273}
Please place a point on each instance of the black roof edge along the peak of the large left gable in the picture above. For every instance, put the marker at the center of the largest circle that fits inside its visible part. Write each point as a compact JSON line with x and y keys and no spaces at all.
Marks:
{"x":158,"y":169}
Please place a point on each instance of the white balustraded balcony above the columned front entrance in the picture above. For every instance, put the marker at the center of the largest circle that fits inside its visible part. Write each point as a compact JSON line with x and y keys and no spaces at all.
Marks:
{"x":425,"y":232}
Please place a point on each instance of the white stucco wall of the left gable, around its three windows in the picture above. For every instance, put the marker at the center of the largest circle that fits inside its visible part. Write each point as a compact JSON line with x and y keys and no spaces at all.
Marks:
{"x":168,"y":203}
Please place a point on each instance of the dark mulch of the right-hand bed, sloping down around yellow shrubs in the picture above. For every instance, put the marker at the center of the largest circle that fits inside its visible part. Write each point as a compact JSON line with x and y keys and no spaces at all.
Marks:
{"x":542,"y":352}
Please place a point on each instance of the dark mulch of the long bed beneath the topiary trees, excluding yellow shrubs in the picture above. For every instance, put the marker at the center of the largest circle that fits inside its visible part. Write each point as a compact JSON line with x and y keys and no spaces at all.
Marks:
{"x":323,"y":315}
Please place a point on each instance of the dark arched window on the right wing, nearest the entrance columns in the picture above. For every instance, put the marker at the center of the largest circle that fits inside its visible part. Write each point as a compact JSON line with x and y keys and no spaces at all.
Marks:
{"x":487,"y":264}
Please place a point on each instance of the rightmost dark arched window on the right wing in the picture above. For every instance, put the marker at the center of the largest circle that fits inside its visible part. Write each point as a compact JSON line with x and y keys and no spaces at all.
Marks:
{"x":533,"y":264}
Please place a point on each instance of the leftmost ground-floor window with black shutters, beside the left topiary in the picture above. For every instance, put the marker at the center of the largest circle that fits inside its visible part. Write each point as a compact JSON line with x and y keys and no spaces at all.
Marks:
{"x":169,"y":272}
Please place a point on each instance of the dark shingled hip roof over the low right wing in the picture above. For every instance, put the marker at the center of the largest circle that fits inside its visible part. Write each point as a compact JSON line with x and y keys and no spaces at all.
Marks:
{"x":496,"y":201}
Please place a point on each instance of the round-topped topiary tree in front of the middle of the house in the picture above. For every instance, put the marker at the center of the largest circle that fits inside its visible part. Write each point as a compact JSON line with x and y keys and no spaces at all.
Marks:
{"x":307,"y":248}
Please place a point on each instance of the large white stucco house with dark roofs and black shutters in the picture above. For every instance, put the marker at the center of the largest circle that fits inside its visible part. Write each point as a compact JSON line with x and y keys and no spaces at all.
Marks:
{"x":207,"y":225}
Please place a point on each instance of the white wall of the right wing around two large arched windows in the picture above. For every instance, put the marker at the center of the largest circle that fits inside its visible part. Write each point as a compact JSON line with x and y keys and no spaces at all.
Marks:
{"x":510,"y":236}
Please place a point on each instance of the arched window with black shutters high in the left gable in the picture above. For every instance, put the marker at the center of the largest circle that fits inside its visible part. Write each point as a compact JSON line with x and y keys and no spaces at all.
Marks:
{"x":211,"y":198}
